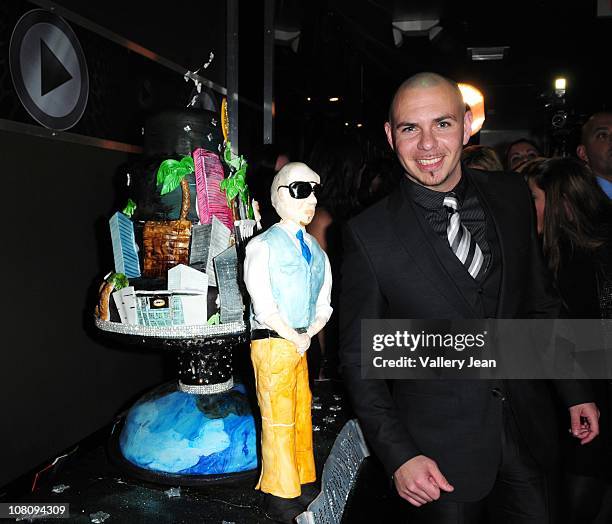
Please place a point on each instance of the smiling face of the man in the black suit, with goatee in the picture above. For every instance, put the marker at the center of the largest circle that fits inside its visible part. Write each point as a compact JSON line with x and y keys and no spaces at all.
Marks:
{"x":428,"y":130}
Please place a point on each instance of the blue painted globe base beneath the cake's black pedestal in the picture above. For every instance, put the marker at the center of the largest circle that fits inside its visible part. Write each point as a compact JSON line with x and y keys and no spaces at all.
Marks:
{"x":179,"y":438}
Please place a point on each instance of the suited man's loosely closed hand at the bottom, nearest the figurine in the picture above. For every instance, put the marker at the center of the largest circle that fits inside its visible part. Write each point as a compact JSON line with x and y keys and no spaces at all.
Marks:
{"x":419,"y":481}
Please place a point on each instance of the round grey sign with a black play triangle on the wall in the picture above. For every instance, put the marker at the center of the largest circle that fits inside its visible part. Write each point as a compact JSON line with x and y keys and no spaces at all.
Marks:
{"x":49,"y":70}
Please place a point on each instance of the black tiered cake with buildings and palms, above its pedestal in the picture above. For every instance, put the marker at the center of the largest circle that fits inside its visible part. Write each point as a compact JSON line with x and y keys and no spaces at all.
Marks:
{"x":176,"y":235}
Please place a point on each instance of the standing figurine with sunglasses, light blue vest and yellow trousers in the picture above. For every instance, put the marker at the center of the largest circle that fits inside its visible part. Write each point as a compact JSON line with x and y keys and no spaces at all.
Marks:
{"x":288,"y":277}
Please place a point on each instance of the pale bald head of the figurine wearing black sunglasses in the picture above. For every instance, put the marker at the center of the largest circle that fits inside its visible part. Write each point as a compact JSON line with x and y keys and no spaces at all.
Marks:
{"x":297,"y":210}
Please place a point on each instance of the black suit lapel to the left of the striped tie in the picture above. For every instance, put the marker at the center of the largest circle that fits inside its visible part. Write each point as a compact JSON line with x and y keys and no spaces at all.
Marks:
{"x":419,"y":243}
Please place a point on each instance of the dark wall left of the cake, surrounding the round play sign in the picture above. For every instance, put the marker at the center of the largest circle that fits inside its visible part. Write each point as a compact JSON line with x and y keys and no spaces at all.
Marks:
{"x":60,"y":380}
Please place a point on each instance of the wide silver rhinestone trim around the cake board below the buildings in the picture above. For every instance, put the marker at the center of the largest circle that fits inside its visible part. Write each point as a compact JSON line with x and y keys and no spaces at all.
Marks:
{"x":230,"y":328}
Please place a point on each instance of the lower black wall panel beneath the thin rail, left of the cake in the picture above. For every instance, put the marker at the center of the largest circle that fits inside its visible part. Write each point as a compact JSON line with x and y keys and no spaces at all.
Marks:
{"x":59,"y":381}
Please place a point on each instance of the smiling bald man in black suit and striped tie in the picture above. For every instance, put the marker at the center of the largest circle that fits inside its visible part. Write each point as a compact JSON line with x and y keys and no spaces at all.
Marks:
{"x":458,"y":450}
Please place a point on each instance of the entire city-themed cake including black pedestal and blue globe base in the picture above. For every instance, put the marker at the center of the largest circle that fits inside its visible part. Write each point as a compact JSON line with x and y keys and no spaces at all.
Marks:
{"x":176,"y":286}
